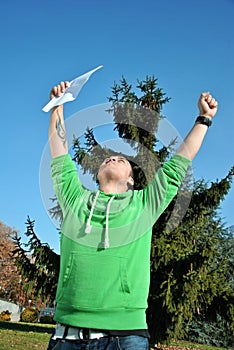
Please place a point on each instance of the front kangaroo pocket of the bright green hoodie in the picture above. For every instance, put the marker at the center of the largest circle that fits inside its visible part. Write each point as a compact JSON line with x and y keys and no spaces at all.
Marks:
{"x":92,"y":281}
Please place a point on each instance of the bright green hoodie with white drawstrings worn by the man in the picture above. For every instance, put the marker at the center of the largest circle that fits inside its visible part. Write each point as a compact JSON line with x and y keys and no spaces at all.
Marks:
{"x":105,"y":247}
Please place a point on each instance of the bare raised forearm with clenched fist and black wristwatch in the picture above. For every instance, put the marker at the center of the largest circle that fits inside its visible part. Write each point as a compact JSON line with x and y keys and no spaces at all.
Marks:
{"x":207,"y":107}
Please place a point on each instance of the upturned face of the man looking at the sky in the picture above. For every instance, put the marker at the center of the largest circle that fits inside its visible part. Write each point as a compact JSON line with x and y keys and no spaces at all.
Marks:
{"x":115,"y":168}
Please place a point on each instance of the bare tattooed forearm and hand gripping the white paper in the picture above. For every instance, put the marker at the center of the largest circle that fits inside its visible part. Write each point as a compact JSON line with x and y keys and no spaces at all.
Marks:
{"x":57,"y":131}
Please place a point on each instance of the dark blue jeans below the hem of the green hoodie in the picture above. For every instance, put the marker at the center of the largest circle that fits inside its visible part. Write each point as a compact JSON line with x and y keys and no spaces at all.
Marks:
{"x":131,"y":342}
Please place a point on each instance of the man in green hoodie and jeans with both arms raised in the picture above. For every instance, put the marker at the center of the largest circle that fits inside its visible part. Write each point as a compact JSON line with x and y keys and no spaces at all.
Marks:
{"x":106,"y":238}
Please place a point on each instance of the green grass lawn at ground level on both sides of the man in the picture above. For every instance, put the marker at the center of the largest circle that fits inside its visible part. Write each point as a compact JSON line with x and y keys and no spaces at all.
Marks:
{"x":27,"y":336}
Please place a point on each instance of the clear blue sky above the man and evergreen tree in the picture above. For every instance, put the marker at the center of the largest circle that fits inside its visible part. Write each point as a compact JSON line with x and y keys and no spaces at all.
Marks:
{"x":187,"y":45}
